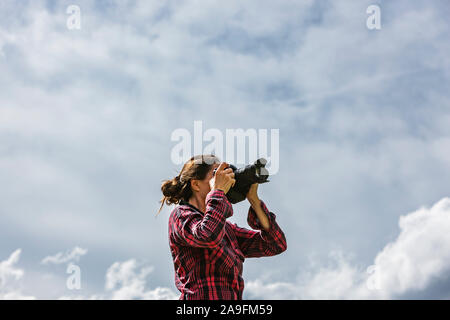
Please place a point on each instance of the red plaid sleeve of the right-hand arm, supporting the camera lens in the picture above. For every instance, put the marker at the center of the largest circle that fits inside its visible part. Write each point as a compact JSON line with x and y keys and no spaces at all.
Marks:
{"x":260,"y":243}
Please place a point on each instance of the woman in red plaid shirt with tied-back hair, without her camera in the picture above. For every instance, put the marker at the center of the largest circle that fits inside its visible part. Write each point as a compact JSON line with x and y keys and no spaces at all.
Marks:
{"x":207,"y":250}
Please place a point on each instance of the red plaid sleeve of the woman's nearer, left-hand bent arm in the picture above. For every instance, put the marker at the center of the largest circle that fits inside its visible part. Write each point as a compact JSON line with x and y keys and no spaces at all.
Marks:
{"x":192,"y":228}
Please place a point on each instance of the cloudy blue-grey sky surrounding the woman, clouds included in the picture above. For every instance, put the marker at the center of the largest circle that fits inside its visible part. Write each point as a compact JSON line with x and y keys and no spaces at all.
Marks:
{"x":86,"y":118}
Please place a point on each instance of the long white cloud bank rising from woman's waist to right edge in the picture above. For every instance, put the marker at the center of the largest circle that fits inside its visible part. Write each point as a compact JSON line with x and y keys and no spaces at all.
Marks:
{"x":418,"y":259}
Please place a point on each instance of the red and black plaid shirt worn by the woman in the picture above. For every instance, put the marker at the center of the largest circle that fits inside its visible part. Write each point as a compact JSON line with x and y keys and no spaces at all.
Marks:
{"x":208,"y":251}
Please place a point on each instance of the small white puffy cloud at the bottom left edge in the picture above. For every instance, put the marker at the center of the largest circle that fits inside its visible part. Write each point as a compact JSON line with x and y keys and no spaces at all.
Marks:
{"x":9,"y":278}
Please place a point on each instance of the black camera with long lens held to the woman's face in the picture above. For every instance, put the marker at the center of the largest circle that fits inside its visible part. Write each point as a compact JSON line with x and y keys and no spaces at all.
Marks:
{"x":245,"y":177}
